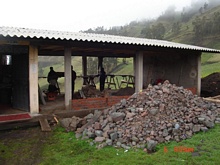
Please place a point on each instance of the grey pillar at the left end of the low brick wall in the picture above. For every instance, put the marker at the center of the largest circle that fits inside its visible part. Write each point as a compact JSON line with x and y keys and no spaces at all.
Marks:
{"x":68,"y":79}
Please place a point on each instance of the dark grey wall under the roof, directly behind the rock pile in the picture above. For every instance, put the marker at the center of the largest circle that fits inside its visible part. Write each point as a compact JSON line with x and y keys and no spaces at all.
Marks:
{"x":180,"y":68}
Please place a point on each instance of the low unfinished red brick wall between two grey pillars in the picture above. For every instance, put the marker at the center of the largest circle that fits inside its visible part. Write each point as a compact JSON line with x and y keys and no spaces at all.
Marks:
{"x":96,"y":103}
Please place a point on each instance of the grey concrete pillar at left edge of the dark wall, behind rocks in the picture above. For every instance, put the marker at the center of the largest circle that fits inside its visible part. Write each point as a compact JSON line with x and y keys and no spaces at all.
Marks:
{"x":138,"y":71}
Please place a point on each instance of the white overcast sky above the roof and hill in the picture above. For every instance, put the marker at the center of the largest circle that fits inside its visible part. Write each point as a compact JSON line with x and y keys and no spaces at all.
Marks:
{"x":76,"y":15}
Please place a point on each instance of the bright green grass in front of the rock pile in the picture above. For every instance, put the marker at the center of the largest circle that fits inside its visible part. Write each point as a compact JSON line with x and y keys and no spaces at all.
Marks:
{"x":63,"y":148}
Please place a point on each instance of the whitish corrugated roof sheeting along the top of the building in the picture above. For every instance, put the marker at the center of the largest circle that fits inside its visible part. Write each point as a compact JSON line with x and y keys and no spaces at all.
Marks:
{"x":62,"y":35}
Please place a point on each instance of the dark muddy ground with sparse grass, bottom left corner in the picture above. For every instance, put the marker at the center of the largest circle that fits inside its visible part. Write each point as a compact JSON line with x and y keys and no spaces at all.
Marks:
{"x":22,"y":146}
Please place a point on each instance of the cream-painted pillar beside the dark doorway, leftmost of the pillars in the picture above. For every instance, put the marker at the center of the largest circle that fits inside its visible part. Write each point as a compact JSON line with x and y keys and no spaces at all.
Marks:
{"x":33,"y":79}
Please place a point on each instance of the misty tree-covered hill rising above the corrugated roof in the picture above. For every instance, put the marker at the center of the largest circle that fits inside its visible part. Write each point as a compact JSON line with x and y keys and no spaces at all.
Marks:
{"x":192,"y":25}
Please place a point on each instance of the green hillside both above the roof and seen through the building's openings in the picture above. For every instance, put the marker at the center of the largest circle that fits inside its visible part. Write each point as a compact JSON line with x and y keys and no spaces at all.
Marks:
{"x":190,"y":27}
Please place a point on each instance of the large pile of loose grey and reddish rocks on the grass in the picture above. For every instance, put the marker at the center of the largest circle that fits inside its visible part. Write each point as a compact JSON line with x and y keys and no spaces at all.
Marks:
{"x":160,"y":113}
